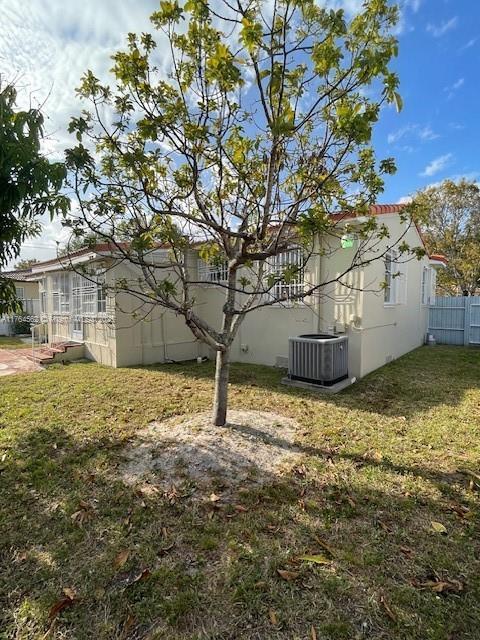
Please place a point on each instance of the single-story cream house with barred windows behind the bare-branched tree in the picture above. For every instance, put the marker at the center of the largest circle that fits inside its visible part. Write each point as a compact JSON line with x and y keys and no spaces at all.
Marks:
{"x":381,"y":324}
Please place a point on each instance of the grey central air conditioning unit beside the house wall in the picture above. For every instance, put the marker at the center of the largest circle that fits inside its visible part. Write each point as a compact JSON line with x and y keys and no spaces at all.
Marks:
{"x":318,"y":358}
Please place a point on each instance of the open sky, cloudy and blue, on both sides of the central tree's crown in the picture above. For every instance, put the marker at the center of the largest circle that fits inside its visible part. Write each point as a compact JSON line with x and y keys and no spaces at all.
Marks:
{"x":46,"y":45}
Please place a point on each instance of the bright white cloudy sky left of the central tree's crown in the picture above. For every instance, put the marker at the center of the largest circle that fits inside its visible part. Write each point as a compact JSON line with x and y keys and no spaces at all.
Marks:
{"x":45,"y":47}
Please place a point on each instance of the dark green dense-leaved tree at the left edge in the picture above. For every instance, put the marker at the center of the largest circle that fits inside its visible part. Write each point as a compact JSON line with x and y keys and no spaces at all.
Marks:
{"x":29,"y":185}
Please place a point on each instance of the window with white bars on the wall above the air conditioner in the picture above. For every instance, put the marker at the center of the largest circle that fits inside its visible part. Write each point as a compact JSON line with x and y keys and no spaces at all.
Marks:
{"x":288,"y":269}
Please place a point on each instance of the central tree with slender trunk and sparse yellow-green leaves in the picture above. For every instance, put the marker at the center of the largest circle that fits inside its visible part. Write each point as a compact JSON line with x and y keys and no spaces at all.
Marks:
{"x":259,"y":129}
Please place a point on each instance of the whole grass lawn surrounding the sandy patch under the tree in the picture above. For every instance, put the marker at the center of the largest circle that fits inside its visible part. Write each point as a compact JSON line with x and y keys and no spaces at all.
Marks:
{"x":382,"y":462}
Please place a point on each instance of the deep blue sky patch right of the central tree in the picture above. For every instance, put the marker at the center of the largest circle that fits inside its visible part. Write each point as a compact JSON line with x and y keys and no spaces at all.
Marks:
{"x":436,"y":136}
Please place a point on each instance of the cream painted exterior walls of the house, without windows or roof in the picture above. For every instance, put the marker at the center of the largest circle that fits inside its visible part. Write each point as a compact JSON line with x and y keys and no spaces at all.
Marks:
{"x":141,"y":334}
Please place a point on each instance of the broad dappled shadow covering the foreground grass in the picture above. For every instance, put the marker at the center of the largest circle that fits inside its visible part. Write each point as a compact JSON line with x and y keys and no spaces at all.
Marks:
{"x":198,"y":569}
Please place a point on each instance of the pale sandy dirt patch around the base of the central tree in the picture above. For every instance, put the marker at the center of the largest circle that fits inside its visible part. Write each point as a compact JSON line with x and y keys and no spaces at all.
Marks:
{"x":254,"y":447}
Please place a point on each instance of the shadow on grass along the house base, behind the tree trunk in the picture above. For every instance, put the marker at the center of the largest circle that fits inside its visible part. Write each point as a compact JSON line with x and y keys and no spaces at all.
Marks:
{"x":419,"y":381}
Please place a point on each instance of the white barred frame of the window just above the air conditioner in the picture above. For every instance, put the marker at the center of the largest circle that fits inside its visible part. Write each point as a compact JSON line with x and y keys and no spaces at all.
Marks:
{"x":282,"y":292}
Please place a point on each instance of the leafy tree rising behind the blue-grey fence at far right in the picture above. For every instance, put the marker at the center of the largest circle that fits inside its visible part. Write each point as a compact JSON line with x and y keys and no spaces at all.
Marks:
{"x":449,"y":216}
